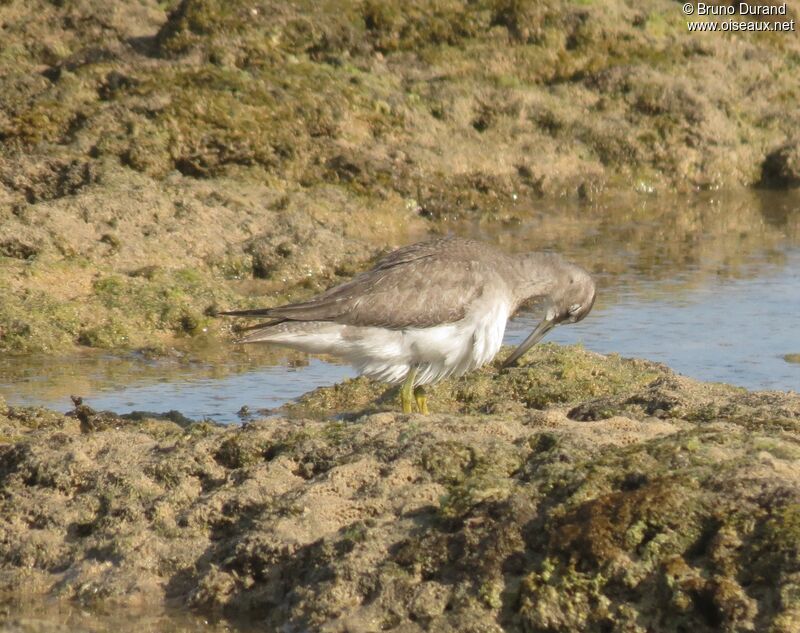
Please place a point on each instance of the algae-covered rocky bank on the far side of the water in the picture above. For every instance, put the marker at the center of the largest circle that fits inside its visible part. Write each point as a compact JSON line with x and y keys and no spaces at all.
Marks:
{"x":159,"y":160}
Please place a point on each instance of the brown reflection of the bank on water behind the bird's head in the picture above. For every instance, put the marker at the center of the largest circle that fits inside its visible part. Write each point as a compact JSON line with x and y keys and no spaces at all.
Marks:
{"x":636,"y":239}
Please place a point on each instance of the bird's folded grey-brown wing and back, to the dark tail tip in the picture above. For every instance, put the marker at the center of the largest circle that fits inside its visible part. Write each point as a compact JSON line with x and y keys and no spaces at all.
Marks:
{"x":420,"y":286}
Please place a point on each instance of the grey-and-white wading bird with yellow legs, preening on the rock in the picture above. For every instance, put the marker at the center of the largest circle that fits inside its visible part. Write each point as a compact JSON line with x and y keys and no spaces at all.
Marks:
{"x":428,"y":311}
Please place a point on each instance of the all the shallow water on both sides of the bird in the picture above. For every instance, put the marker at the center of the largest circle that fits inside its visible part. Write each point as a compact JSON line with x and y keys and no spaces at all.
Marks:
{"x":708,"y":284}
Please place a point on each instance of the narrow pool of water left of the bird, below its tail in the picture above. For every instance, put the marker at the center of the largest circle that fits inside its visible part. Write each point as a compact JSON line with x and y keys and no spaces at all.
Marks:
{"x":210,"y":381}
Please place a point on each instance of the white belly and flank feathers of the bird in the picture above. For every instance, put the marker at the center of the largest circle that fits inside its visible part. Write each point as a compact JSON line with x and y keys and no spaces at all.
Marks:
{"x":387,"y":355}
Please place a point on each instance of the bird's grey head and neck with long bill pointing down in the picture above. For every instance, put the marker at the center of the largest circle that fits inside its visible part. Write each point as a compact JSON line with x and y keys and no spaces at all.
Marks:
{"x":568,"y":292}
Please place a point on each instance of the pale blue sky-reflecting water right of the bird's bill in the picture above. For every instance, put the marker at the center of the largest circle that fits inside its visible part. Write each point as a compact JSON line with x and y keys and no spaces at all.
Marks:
{"x":729,"y":330}
